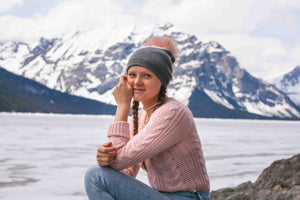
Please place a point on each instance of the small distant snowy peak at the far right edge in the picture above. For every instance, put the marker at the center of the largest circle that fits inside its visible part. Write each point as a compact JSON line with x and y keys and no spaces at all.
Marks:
{"x":290,"y":84}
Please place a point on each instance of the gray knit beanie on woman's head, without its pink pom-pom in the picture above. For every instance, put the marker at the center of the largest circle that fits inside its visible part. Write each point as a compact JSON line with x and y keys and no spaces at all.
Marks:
{"x":156,"y":59}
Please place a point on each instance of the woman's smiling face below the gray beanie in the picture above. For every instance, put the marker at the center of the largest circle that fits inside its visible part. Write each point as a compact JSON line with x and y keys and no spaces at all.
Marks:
{"x":145,"y":84}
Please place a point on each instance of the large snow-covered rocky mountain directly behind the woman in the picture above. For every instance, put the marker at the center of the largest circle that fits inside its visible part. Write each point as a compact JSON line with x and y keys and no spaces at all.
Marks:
{"x":88,"y":63}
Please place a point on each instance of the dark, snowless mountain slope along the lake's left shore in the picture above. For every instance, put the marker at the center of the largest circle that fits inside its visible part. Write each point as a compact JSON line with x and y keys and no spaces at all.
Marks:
{"x":19,"y":94}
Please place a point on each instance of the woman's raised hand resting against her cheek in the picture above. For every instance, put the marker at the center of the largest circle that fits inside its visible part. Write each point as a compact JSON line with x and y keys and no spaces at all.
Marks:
{"x":123,"y":92}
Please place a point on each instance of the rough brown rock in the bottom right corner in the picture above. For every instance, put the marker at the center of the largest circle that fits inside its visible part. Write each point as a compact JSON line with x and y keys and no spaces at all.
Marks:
{"x":280,"y":181}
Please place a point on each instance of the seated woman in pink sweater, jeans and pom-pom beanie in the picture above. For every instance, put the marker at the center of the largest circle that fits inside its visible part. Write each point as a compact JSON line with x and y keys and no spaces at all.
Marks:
{"x":162,"y":138}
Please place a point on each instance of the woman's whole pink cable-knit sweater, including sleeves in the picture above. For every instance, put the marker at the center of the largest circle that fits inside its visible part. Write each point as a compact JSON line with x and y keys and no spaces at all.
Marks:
{"x":169,"y":145}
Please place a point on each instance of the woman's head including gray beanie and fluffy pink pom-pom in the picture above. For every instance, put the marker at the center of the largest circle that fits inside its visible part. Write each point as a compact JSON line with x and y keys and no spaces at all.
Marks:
{"x":150,"y":67}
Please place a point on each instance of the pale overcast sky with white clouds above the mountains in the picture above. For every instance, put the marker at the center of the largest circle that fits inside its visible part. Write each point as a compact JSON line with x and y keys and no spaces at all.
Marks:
{"x":264,"y":35}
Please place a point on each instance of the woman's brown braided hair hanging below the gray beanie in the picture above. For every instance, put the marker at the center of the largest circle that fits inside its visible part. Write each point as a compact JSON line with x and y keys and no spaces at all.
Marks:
{"x":135,"y":110}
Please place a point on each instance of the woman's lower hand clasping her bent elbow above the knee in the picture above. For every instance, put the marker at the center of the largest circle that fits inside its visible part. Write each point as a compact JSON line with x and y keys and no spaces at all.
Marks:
{"x":106,"y":154}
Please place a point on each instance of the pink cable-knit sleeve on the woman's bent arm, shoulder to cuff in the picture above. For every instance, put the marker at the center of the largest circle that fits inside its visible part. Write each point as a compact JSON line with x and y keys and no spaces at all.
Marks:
{"x":167,"y":126}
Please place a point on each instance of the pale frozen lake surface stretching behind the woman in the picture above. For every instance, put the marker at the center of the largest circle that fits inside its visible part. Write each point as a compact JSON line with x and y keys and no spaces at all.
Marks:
{"x":45,"y":156}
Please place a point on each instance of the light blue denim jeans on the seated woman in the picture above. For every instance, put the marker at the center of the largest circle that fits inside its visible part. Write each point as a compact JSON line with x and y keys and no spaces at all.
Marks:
{"x":106,"y":183}
